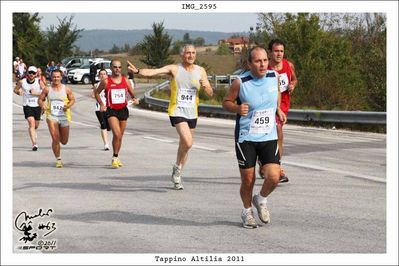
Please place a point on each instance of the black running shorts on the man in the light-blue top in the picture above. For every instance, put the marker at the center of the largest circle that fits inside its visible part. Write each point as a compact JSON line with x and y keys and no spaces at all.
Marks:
{"x":248,"y":151}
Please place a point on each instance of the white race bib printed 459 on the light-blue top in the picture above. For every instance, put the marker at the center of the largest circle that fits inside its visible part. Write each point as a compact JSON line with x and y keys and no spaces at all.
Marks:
{"x":262,"y":122}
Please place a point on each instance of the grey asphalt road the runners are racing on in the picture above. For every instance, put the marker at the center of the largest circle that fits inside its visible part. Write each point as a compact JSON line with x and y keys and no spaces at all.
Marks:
{"x":335,"y":201}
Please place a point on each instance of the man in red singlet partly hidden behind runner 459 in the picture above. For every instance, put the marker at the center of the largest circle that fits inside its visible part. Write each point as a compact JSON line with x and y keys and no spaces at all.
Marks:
{"x":288,"y":82}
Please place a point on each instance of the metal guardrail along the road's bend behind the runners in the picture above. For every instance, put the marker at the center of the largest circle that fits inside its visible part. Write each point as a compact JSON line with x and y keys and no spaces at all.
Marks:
{"x":355,"y":117}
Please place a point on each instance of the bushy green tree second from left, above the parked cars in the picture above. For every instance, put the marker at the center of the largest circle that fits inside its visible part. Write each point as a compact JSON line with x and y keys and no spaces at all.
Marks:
{"x":61,"y":39}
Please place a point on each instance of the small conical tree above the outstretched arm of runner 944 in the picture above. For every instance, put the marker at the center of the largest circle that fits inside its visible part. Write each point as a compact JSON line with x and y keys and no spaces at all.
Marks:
{"x":155,"y":47}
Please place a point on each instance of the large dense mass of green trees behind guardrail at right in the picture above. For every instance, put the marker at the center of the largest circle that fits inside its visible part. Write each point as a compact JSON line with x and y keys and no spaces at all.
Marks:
{"x":332,"y":59}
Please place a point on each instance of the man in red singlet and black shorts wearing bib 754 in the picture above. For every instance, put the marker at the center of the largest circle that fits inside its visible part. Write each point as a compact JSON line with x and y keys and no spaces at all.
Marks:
{"x":116,"y":89}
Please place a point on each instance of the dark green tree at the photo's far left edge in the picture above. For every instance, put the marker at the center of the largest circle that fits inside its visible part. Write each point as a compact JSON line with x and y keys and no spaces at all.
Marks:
{"x":28,"y":40}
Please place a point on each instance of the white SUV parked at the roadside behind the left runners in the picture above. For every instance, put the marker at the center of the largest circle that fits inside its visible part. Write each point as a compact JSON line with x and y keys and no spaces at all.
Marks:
{"x":82,"y":74}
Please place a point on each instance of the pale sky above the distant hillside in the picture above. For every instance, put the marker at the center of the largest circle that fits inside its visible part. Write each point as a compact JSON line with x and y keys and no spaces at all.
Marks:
{"x":221,"y":22}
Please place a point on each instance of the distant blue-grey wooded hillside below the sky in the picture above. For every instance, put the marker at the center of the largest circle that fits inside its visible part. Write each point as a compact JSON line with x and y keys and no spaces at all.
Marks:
{"x":105,"y":39}
